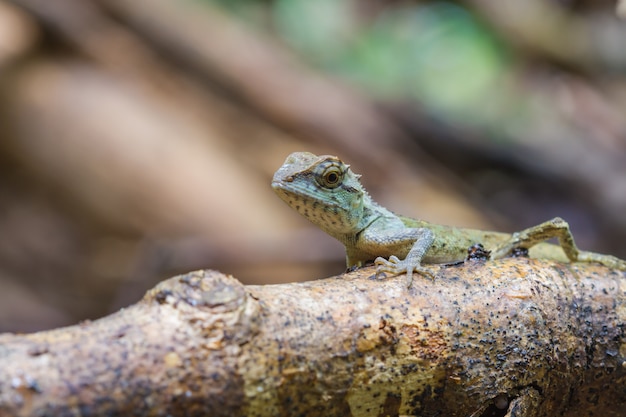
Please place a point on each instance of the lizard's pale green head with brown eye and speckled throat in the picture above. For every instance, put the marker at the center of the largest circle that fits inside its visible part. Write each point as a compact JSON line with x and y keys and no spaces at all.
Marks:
{"x":323,"y":189}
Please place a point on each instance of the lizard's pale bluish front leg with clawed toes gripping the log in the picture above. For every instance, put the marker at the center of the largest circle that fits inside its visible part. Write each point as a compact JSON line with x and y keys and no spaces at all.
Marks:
{"x":413,"y":242}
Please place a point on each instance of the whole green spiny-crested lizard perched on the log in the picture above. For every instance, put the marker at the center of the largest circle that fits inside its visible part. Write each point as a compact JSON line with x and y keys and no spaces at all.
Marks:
{"x":326,"y":191}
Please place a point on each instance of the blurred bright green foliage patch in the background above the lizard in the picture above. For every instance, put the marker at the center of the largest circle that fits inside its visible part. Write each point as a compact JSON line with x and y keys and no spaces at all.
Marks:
{"x":436,"y":54}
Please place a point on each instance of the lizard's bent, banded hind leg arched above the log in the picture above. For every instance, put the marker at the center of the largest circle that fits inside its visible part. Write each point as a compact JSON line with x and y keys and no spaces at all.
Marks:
{"x":555,"y":228}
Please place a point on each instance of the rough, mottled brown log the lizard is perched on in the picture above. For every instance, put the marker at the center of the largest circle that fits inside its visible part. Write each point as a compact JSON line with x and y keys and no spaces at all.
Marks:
{"x":515,"y":337}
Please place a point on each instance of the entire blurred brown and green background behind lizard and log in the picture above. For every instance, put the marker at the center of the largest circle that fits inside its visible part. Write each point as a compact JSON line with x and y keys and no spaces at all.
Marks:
{"x":138,"y":138}
